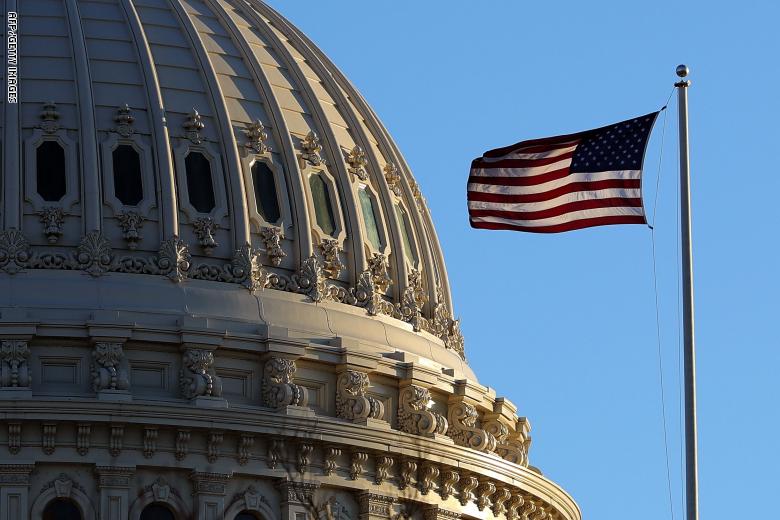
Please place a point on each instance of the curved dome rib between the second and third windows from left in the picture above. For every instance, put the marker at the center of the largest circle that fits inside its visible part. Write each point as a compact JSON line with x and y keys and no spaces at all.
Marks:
{"x":165,"y":184}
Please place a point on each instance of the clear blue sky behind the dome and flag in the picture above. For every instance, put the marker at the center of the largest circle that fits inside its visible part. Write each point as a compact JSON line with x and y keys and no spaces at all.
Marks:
{"x":564,"y":325}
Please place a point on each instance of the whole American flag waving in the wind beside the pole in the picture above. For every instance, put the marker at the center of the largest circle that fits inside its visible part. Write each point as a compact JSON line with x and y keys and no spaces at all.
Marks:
{"x":562,"y":183}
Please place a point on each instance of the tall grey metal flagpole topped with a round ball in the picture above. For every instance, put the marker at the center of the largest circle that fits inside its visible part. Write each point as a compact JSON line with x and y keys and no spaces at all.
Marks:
{"x":689,"y":357}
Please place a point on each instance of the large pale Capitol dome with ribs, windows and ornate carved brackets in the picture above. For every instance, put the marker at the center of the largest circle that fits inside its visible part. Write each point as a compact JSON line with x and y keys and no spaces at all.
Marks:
{"x":222,"y":294}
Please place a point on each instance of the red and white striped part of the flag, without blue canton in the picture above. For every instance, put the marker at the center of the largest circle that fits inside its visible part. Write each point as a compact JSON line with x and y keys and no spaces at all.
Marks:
{"x":529,"y":187}
